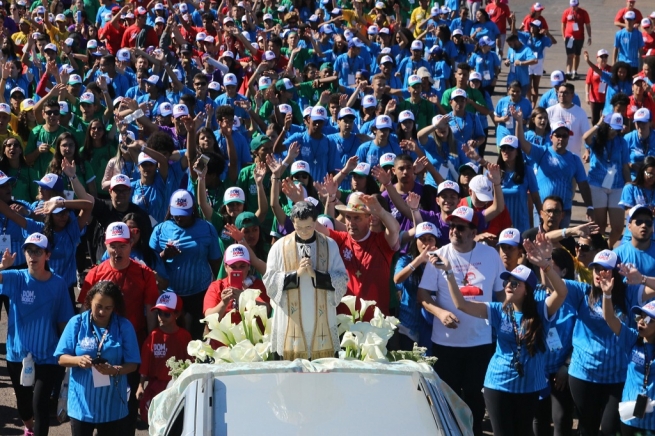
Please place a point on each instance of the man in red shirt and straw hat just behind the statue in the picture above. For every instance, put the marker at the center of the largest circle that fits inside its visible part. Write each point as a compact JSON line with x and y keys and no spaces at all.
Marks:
{"x":367,"y":255}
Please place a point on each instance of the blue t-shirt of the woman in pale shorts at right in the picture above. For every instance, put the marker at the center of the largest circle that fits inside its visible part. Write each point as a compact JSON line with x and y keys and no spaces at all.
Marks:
{"x":617,"y":154}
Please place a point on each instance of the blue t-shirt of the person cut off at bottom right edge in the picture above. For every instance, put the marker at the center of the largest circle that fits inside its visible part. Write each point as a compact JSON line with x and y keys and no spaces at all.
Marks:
{"x":639,"y":352}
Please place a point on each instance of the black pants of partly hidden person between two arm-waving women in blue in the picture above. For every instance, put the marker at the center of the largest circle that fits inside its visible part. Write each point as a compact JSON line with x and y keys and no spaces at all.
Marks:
{"x":556,"y":408}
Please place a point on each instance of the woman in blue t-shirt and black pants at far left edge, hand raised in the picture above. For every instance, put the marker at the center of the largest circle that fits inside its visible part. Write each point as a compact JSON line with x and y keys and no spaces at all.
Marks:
{"x":39,"y":308}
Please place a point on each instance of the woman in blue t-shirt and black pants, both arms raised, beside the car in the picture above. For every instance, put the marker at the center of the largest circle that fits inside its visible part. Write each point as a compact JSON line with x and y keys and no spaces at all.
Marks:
{"x":515,"y":374}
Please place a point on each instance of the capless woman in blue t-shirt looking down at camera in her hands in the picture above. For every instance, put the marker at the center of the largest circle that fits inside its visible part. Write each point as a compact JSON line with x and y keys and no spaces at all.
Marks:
{"x":100,"y":347}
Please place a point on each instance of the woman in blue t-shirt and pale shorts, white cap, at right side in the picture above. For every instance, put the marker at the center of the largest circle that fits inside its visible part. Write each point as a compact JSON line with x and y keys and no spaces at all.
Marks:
{"x":609,"y":172}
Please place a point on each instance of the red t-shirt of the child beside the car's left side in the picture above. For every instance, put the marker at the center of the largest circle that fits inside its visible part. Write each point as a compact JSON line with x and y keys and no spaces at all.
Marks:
{"x":158,"y":348}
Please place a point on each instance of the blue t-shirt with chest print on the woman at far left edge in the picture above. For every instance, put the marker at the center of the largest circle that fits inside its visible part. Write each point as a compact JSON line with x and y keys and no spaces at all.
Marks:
{"x":35,"y":309}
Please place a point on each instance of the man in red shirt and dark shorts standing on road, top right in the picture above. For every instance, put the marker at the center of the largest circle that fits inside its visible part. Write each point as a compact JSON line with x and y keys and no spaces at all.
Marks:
{"x":573,"y":20}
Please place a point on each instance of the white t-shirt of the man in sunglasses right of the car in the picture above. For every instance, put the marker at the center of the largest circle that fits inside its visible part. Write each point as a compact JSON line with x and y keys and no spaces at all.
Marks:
{"x":482,"y":266}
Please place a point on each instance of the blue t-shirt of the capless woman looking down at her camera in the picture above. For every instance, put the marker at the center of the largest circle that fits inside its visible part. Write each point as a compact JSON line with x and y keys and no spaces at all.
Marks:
{"x":86,"y":402}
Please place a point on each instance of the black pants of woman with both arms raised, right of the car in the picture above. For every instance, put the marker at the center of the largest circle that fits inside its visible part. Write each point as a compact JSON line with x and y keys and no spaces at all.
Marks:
{"x":510,"y":414}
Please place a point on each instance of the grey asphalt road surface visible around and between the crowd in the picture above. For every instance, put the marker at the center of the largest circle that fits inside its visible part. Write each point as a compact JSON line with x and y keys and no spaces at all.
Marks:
{"x":602,"y":16}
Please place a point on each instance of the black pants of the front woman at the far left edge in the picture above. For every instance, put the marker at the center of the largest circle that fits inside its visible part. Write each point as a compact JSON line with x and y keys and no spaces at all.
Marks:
{"x":34,"y":401}
